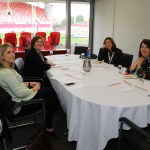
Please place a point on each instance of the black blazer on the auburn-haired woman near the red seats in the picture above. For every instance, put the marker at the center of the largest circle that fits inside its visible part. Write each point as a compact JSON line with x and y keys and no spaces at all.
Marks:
{"x":34,"y":66}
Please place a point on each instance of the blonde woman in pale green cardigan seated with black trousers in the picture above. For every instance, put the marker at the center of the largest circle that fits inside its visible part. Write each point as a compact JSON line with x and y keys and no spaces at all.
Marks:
{"x":13,"y":83}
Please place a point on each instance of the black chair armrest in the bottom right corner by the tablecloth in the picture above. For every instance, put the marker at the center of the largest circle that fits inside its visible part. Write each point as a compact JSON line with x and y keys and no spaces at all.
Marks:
{"x":135,"y":127}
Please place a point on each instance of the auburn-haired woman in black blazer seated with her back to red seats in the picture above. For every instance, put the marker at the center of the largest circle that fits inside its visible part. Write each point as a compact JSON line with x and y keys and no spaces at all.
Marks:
{"x":36,"y":64}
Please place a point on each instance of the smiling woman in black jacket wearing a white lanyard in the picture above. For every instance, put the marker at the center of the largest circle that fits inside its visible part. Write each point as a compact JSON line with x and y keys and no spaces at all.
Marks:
{"x":110,"y":53}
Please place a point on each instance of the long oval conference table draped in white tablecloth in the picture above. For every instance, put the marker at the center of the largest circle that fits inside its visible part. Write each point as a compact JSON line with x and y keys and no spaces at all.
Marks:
{"x":94,"y":101}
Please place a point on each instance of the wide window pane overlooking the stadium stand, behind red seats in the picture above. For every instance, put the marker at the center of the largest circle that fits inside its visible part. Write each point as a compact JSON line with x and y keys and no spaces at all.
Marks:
{"x":32,"y":17}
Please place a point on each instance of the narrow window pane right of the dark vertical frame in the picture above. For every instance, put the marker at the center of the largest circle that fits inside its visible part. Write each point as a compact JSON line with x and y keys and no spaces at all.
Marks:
{"x":80,"y":14}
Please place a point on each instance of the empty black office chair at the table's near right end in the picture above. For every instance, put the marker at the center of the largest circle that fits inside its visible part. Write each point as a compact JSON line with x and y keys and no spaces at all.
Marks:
{"x":138,"y":138}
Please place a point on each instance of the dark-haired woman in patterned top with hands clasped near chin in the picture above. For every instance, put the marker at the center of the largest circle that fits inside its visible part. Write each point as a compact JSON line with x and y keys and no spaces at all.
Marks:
{"x":141,"y":66}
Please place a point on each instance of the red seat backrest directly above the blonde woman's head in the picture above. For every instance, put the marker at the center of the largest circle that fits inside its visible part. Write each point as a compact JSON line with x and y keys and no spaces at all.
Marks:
{"x":11,"y":38}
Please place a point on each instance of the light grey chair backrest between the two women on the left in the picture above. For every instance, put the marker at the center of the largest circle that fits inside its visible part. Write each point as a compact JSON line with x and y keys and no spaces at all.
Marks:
{"x":19,"y":64}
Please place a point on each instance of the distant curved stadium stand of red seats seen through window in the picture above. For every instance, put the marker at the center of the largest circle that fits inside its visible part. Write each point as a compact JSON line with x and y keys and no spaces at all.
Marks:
{"x":21,"y":12}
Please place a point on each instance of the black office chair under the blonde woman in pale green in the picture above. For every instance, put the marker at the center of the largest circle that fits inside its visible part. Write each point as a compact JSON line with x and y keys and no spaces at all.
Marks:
{"x":11,"y":121}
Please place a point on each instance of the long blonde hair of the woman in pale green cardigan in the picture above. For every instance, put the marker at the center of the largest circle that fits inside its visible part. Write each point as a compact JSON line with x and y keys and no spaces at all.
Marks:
{"x":3,"y":48}
